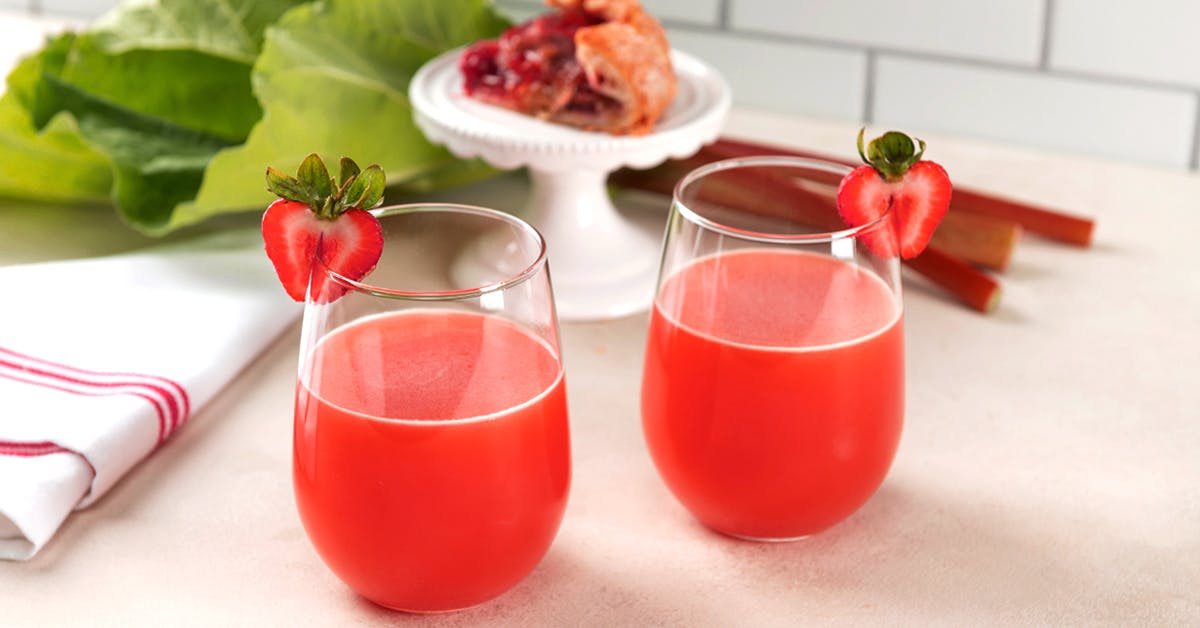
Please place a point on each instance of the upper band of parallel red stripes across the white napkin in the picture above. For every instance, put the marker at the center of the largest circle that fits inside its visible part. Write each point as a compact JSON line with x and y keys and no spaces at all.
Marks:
{"x":169,"y":398}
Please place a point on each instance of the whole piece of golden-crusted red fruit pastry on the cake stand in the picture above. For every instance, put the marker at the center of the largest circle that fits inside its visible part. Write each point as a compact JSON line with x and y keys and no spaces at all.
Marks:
{"x":599,"y":65}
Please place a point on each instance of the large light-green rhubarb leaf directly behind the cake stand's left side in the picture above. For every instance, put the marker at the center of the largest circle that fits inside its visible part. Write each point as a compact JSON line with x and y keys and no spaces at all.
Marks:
{"x":333,"y":79}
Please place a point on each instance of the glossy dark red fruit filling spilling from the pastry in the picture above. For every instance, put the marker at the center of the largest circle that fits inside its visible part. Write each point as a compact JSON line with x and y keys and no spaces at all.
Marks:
{"x":532,"y":68}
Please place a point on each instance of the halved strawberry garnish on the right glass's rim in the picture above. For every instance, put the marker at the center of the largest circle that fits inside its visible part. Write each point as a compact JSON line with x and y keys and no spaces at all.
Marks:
{"x":919,"y":193}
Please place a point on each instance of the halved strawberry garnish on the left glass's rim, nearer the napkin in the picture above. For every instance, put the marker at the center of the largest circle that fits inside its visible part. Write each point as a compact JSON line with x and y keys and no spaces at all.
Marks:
{"x":322,"y":224}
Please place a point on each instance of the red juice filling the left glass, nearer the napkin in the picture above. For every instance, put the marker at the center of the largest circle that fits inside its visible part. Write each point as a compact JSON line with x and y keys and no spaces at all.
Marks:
{"x":431,"y":456}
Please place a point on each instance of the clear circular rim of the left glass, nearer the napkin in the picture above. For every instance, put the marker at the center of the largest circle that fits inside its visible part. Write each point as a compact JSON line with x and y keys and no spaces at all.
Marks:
{"x":538,"y":264}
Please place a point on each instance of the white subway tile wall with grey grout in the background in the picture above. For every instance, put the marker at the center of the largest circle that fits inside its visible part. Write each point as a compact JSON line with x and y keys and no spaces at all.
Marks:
{"x":1107,"y":79}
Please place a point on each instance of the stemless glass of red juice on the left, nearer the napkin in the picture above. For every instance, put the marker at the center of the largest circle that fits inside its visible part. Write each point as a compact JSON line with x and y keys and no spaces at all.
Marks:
{"x":431,"y":451}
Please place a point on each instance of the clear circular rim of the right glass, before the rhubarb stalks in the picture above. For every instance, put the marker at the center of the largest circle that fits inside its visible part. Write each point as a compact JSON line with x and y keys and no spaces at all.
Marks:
{"x":767,"y":237}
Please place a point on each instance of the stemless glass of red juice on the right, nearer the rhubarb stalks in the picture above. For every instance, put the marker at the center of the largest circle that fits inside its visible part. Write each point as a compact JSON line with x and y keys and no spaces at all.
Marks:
{"x":773,"y":385}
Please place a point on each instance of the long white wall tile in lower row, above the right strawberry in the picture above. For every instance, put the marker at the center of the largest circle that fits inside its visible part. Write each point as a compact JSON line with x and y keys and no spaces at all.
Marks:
{"x":1061,"y":113}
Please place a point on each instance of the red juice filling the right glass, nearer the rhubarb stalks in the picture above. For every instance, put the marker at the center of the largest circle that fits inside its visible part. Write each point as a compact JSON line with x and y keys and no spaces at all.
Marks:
{"x":773,"y":390}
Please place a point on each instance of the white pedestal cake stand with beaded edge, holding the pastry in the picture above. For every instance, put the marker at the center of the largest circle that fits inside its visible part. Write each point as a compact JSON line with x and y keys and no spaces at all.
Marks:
{"x":604,"y":266}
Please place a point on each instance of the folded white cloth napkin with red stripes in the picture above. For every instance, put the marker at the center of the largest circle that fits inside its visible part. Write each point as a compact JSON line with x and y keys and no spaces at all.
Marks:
{"x":104,"y":360}
